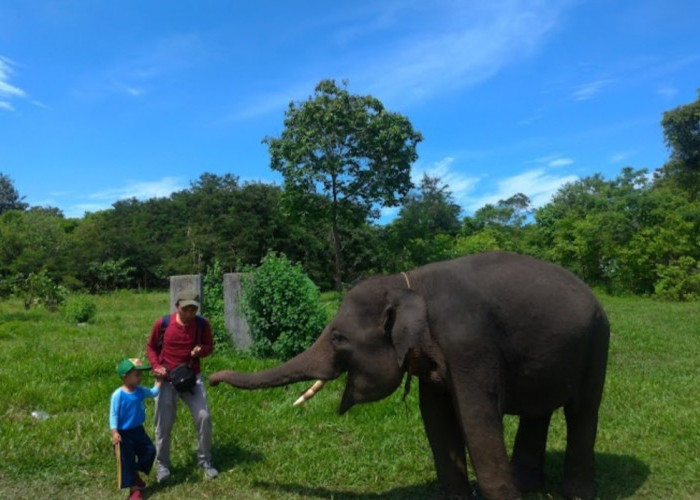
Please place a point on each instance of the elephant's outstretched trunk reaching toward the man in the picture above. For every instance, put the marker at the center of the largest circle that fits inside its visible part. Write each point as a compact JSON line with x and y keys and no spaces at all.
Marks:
{"x":314,"y":363}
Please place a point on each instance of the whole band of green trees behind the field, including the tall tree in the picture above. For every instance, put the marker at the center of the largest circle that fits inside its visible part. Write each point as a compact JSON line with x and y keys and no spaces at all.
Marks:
{"x":637,"y":233}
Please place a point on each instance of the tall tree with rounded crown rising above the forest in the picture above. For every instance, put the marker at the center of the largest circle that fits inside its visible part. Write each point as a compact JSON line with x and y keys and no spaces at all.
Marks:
{"x":348,"y":148}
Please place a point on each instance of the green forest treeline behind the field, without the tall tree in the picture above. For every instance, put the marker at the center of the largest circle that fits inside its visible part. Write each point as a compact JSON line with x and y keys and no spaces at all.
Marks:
{"x":637,"y":233}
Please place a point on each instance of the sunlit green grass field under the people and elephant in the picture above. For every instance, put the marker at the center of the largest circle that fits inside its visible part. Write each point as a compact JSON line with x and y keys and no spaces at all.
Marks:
{"x":648,"y":442}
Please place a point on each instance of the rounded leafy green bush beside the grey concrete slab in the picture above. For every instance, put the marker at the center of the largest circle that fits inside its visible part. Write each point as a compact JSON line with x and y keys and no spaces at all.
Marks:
{"x":282,"y":307}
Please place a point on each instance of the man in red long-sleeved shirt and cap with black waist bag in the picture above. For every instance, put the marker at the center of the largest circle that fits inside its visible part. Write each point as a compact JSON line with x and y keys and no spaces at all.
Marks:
{"x":186,"y":338}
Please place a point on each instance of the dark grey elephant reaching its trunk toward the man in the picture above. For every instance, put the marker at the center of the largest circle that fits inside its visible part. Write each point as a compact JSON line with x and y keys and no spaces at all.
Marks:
{"x":486,"y":335}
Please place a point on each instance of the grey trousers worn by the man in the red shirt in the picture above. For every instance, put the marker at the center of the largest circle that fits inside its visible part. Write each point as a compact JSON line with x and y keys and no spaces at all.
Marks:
{"x":165,"y":413}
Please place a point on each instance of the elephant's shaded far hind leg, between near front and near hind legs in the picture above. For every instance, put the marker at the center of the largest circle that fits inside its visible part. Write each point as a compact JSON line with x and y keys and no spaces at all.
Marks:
{"x":529,"y":450}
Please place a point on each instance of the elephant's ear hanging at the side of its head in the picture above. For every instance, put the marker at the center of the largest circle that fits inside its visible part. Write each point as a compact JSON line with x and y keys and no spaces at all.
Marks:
{"x":405,"y":321}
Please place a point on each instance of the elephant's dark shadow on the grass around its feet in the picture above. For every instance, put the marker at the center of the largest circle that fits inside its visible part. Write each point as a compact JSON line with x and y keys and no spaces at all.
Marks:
{"x":618,"y":477}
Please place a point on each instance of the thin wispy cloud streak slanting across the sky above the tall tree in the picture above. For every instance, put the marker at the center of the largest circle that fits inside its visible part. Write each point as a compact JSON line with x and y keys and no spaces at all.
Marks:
{"x":475,"y":41}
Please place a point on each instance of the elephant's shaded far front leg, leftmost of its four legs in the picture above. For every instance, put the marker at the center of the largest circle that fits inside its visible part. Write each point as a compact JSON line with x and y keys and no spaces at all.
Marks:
{"x":446,"y":440}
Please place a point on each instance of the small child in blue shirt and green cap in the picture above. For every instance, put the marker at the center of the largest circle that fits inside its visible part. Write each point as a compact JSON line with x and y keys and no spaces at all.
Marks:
{"x":126,"y":416}
